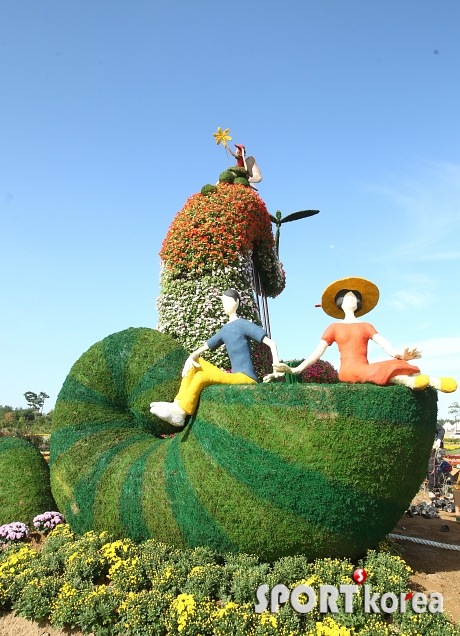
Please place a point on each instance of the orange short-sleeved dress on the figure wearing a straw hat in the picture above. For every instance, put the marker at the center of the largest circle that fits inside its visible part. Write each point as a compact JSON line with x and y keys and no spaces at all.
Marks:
{"x":352,"y":339}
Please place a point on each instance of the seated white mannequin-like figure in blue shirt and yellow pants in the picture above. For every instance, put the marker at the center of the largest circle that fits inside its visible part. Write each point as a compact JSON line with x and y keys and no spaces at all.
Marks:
{"x":198,"y":373}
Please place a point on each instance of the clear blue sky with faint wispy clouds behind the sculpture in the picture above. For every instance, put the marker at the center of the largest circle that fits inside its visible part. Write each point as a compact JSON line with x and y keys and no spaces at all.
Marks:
{"x":107,"y":115}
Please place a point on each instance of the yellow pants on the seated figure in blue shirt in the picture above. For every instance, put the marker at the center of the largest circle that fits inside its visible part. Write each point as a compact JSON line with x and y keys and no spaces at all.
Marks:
{"x":197,"y":379}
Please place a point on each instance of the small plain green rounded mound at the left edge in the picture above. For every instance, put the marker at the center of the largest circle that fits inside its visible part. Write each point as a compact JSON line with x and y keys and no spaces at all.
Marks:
{"x":25,"y":482}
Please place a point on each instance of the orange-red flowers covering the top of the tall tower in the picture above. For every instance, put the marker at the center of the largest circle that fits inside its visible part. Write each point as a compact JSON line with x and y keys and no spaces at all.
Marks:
{"x":210,"y":231}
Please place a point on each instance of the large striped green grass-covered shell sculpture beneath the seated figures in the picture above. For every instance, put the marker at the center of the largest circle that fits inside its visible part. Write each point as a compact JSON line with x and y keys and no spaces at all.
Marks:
{"x":323,"y":470}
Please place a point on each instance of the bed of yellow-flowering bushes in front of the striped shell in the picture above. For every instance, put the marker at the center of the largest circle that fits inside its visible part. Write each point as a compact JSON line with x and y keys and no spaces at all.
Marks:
{"x":115,"y":587}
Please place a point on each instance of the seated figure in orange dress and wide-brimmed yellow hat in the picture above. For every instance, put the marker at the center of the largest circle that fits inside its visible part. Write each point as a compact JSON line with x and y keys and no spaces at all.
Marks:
{"x":349,"y":298}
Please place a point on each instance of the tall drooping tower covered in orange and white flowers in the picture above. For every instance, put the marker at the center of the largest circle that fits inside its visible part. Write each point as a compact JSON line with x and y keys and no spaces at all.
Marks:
{"x":211,"y":245}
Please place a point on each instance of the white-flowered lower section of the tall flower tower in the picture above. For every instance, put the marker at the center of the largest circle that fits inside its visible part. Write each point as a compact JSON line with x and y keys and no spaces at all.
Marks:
{"x":190,"y":309}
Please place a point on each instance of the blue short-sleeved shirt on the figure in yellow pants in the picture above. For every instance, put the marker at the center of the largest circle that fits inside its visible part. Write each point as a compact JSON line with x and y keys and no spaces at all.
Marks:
{"x":235,"y":335}
